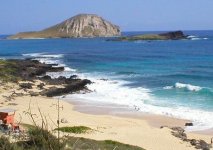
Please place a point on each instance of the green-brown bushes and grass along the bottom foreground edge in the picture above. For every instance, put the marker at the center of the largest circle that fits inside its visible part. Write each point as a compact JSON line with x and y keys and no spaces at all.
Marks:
{"x":40,"y":139}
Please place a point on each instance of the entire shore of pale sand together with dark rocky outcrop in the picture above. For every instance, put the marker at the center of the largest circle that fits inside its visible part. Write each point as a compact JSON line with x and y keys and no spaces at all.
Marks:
{"x":35,"y":95}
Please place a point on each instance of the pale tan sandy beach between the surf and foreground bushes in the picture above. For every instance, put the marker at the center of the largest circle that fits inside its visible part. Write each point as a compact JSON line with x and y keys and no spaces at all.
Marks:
{"x":141,"y":130}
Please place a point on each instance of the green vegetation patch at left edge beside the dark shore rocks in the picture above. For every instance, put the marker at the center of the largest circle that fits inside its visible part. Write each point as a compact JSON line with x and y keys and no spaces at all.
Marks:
{"x":8,"y":70}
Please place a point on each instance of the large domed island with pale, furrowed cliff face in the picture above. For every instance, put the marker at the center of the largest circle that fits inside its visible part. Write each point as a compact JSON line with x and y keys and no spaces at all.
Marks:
{"x":83,"y":25}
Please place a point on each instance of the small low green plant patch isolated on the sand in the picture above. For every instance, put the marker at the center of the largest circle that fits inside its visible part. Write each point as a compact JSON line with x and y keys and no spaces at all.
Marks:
{"x":75,"y":129}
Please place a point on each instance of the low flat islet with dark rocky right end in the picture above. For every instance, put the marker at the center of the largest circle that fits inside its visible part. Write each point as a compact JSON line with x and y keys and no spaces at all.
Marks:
{"x":176,"y":35}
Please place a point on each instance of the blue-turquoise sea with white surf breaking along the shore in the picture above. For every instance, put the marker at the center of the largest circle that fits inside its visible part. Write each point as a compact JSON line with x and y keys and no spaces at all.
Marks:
{"x":173,"y":78}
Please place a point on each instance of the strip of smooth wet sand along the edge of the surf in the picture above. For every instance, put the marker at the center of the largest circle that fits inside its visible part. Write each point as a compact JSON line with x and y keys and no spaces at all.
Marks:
{"x":96,"y":108}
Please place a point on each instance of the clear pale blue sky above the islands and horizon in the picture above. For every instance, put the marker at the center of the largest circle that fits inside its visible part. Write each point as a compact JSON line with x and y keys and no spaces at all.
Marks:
{"x":130,"y":15}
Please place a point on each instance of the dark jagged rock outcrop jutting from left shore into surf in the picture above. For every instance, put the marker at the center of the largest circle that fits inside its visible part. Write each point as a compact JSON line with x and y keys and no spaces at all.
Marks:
{"x":26,"y":72}
